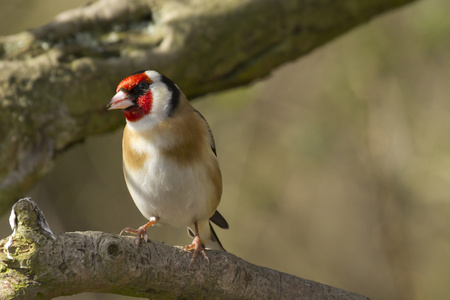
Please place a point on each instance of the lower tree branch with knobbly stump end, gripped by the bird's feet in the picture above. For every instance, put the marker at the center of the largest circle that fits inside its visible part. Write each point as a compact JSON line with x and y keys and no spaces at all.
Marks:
{"x":35,"y":264}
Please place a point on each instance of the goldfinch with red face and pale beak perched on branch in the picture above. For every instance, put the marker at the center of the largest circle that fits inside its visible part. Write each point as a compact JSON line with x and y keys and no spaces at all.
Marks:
{"x":169,"y":160}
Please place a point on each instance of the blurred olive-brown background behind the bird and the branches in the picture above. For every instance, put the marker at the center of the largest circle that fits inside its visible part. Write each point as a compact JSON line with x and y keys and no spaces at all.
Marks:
{"x":336,"y":168}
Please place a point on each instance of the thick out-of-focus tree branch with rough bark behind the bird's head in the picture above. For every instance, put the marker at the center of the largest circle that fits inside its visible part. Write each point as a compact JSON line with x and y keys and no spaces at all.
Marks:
{"x":56,"y":79}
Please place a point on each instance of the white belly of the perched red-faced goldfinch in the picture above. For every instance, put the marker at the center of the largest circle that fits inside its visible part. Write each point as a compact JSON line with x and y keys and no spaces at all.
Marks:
{"x":177,"y":194}
